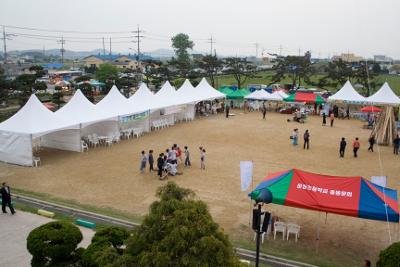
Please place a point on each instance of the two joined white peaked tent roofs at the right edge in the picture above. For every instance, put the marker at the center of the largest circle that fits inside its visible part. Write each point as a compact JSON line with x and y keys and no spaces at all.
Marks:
{"x":384,"y":96}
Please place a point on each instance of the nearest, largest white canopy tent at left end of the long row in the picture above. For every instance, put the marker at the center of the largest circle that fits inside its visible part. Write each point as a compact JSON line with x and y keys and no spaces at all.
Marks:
{"x":32,"y":121}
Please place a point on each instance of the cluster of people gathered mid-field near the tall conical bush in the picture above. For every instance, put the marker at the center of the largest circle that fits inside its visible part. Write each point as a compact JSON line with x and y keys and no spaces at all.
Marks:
{"x":167,"y":163}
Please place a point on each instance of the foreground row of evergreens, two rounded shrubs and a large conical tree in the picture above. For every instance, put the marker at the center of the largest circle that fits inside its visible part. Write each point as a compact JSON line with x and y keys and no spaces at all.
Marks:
{"x":178,"y":231}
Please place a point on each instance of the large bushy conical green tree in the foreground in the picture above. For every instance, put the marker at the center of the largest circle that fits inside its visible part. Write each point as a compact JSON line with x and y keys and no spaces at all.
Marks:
{"x":179,"y":231}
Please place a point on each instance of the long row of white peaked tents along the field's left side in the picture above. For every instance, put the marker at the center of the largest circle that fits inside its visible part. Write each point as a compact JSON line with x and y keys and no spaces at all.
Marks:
{"x":65,"y":128}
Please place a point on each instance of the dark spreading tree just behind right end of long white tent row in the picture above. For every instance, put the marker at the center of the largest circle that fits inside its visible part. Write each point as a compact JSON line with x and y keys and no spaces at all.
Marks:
{"x":240,"y":68}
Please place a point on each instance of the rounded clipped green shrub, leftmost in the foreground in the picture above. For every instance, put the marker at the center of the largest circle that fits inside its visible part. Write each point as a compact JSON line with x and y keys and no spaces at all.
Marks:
{"x":54,"y":244}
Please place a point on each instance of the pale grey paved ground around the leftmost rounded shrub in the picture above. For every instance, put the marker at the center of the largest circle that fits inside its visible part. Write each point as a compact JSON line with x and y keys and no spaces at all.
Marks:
{"x":14,"y":230}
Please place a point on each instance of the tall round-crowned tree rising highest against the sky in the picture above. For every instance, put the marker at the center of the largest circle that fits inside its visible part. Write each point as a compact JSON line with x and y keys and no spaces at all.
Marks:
{"x":181,"y":43}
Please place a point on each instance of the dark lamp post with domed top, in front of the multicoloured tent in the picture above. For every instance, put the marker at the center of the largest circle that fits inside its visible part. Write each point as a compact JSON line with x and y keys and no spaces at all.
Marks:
{"x":264,"y":196}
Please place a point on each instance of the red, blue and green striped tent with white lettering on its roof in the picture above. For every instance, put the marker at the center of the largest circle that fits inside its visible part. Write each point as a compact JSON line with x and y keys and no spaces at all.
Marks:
{"x":350,"y":196}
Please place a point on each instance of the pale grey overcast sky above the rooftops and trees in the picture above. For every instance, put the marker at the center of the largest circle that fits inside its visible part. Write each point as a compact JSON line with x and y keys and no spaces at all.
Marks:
{"x":326,"y":27}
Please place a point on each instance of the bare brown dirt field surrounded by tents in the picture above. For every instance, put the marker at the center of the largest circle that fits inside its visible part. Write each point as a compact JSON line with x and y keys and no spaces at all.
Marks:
{"x":110,"y":177}
